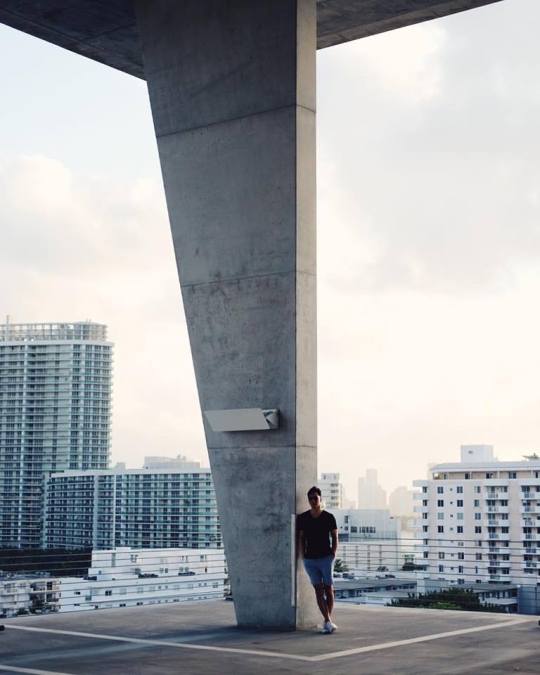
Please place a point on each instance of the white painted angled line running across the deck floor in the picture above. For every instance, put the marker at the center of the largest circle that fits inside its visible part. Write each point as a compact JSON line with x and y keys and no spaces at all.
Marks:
{"x":274,"y":655}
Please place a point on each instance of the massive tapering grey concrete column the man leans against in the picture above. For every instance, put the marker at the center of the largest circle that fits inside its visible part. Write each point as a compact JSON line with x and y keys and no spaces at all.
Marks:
{"x":232,"y":88}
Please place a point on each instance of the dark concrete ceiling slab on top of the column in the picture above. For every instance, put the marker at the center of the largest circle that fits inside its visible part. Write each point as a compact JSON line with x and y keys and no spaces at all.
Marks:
{"x":106,"y":30}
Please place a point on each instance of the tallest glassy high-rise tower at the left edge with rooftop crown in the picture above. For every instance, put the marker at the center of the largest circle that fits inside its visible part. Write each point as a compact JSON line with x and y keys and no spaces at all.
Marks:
{"x":55,"y":408}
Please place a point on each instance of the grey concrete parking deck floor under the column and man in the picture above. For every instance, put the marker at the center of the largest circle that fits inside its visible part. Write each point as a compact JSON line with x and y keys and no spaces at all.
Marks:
{"x":201,"y":638}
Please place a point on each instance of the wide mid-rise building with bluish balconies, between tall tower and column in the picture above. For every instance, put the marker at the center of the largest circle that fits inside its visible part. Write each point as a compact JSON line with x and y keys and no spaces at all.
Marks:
{"x":140,"y":508}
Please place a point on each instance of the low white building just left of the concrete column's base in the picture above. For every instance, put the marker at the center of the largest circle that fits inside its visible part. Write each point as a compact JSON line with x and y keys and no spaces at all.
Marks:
{"x":130,"y":578}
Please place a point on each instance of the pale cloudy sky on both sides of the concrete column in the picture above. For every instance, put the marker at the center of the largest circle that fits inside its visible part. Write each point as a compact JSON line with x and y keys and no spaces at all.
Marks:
{"x":428,"y":240}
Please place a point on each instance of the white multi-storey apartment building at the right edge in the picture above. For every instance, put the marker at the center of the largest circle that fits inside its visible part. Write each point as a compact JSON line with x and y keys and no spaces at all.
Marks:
{"x":479,"y":519}
